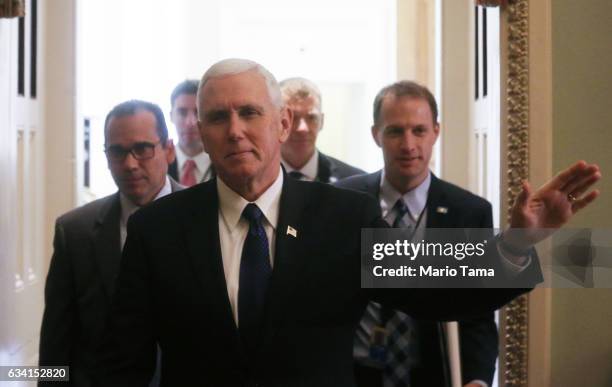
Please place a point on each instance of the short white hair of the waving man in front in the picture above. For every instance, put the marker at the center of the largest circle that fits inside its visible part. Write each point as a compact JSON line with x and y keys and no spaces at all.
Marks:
{"x":234,"y":66}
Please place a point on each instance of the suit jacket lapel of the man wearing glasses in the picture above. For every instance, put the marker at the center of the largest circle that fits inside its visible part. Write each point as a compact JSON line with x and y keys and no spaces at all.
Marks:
{"x":106,"y":242}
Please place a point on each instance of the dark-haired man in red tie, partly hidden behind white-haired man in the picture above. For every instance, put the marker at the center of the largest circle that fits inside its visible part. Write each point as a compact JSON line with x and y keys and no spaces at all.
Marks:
{"x":192,"y":164}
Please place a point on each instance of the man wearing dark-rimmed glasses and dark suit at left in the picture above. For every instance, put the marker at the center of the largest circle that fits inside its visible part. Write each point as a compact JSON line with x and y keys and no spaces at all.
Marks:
{"x":89,"y":240}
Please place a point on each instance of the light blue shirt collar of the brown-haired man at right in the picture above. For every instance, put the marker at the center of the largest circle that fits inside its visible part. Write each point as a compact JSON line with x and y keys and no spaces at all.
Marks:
{"x":415,"y":199}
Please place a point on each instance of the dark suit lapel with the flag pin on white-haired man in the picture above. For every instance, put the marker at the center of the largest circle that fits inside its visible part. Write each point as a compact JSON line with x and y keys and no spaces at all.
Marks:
{"x":289,"y":258}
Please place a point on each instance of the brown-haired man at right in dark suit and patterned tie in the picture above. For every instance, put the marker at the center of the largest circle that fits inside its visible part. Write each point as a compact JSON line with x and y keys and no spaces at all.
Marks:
{"x":406,"y":129}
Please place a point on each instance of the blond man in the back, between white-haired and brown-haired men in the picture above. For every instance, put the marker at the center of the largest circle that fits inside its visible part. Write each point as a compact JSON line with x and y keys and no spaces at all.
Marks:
{"x":300,"y":156}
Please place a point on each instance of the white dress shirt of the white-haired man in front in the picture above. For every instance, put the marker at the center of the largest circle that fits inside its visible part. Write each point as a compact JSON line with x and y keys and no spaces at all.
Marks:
{"x":233,"y":230}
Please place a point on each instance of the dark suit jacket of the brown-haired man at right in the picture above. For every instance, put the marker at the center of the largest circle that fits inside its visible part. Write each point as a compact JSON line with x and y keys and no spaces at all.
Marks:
{"x":478,"y":337}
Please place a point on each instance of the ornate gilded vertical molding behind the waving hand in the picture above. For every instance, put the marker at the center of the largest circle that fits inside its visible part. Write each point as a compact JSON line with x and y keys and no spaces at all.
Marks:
{"x":515,"y":315}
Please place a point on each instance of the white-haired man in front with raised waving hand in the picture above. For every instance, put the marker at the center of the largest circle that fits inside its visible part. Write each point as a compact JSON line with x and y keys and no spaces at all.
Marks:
{"x":253,"y":278}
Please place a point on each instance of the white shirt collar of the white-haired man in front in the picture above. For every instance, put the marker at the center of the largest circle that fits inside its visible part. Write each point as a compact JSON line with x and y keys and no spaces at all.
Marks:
{"x":232,"y":204}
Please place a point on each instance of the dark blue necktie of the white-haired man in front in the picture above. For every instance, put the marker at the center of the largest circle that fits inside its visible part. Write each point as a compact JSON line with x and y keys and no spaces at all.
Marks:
{"x":255,"y":271}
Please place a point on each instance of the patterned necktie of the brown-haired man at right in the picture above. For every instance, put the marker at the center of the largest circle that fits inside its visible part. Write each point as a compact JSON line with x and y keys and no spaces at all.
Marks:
{"x":400,"y":328}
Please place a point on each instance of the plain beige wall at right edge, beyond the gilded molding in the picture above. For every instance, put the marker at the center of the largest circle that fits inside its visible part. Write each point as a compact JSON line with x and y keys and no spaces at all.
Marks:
{"x":582,"y":91}
